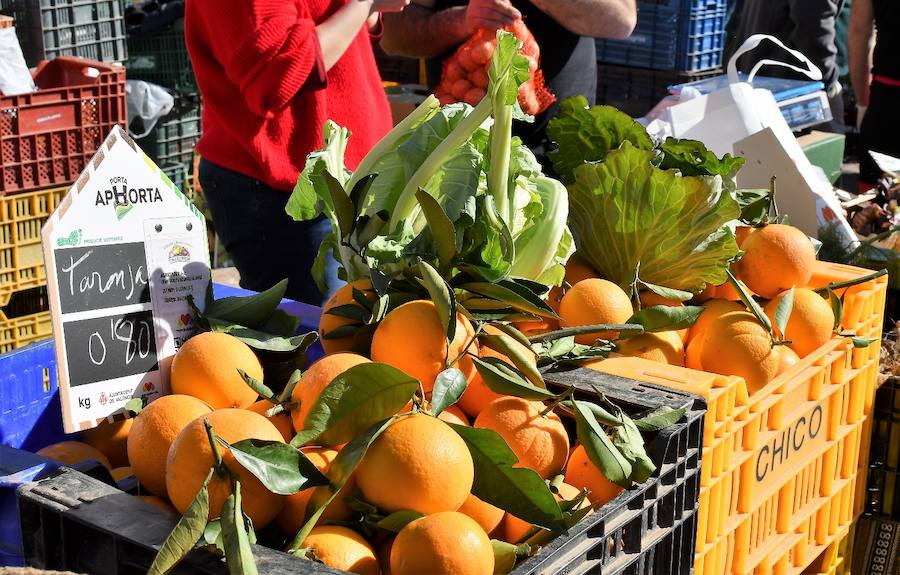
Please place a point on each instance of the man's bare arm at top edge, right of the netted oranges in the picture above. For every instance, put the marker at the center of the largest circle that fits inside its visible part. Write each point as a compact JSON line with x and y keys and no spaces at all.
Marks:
{"x":596,"y":18}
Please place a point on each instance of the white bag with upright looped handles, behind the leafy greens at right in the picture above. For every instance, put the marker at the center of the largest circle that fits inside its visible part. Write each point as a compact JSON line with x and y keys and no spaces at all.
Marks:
{"x":728,"y":115}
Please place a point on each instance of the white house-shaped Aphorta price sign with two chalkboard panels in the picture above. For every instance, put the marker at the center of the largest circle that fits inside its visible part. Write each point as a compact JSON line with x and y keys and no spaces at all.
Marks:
{"x":124,"y":250}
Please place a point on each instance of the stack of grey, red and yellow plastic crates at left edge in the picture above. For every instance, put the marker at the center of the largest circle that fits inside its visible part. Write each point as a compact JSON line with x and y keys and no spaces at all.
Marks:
{"x":46,"y":137}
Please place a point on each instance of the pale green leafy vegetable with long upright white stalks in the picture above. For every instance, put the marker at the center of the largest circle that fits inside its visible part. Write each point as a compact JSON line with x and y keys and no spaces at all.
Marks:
{"x":501,"y":217}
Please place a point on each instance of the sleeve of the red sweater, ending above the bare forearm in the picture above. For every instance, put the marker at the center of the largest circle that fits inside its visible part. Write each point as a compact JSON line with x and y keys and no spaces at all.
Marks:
{"x":268,"y":49}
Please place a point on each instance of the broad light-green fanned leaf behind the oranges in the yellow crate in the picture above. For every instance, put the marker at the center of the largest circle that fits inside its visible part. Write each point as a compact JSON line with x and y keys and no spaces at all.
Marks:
{"x":627,"y":213}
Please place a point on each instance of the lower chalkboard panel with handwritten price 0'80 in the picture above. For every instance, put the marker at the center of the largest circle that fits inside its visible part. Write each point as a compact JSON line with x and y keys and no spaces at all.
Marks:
{"x":110,"y":347}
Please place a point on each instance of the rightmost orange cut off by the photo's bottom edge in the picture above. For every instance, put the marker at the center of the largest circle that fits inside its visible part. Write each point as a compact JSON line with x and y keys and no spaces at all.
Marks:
{"x":446,"y":543}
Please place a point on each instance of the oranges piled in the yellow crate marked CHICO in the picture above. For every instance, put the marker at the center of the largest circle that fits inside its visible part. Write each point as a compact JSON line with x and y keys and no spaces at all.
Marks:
{"x":727,"y":338}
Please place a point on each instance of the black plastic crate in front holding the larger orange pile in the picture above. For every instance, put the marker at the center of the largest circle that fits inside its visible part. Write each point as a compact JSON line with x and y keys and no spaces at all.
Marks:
{"x":73,"y":522}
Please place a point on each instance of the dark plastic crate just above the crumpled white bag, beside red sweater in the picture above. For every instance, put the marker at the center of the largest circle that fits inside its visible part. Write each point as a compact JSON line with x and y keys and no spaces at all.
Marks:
{"x":161,"y":57}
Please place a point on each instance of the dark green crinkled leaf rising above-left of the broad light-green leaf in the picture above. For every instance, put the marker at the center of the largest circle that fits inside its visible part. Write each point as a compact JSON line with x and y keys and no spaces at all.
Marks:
{"x":586,"y":135}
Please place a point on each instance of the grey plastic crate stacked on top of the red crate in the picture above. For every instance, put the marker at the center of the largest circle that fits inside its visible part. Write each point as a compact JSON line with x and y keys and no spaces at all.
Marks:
{"x":92,"y":29}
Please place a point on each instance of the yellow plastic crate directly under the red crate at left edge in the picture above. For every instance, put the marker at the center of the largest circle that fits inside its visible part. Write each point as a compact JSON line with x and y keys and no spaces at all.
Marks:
{"x":21,"y":257}
